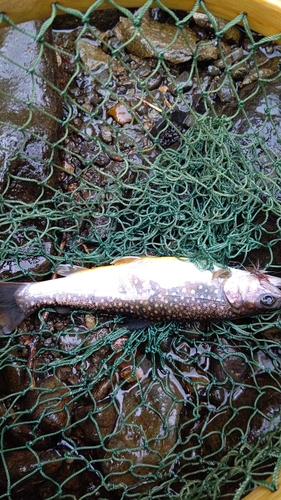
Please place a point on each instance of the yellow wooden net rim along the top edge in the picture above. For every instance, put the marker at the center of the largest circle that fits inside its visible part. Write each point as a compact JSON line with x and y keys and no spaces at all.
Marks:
{"x":264,"y":16}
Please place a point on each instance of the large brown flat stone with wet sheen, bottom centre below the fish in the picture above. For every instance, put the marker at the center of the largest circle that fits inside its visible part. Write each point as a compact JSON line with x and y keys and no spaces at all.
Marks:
{"x":145,"y":433}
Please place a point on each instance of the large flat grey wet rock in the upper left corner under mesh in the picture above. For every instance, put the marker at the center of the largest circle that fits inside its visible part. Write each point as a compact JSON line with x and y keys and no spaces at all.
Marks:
{"x":32,"y":171}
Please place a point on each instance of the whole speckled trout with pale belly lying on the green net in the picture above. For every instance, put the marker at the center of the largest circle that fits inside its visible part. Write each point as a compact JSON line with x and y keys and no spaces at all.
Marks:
{"x":152,"y":288}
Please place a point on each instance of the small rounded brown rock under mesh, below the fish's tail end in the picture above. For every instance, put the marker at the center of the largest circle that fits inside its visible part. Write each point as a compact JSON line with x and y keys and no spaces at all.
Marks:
{"x":48,"y":403}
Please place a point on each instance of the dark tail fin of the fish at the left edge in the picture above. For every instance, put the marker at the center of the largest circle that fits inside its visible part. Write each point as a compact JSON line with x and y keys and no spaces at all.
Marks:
{"x":11,"y":312}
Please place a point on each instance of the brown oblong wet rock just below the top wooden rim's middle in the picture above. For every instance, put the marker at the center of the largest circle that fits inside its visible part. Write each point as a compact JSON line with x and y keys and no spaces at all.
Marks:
{"x":177,"y":47}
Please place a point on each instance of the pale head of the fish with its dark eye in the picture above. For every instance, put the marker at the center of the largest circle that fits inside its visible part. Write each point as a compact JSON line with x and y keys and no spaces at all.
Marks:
{"x":250,"y":293}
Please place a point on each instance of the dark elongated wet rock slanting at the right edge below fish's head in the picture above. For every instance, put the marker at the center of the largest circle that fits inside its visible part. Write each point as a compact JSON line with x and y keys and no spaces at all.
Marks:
{"x":251,"y":416}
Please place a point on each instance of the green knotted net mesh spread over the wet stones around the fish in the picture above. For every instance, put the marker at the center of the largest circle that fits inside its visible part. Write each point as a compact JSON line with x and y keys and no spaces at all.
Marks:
{"x":113,"y":144}
